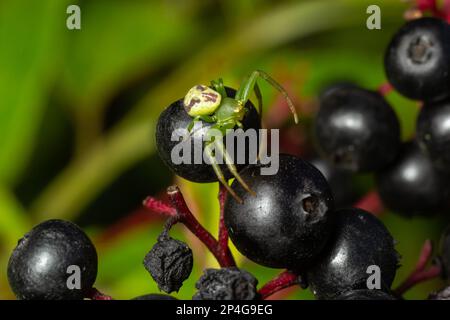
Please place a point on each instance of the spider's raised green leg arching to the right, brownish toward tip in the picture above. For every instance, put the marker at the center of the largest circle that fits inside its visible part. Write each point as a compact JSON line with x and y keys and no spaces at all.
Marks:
{"x":243,"y":94}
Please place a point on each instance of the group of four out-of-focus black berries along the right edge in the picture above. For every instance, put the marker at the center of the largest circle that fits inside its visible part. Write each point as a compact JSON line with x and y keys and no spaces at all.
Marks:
{"x":357,"y":129}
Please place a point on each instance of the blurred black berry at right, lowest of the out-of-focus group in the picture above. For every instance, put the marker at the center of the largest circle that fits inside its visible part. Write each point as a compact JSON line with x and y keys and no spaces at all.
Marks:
{"x":412,"y":185}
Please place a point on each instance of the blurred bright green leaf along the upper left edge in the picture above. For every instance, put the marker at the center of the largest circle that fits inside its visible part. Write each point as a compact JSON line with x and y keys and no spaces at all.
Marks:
{"x":30,"y":33}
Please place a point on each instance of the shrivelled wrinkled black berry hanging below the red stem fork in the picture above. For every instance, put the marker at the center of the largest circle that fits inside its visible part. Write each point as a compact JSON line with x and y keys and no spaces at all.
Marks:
{"x":169,"y":263}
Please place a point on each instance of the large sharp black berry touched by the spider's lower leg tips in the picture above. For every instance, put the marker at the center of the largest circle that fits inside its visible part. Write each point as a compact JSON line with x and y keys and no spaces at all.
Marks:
{"x":288,"y":222}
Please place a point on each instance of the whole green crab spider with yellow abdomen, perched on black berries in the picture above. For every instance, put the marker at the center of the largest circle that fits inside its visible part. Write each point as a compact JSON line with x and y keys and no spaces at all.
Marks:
{"x":212,"y":105}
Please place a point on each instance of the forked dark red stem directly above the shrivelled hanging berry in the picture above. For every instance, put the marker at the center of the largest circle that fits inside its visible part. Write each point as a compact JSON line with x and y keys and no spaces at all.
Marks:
{"x":181,"y":213}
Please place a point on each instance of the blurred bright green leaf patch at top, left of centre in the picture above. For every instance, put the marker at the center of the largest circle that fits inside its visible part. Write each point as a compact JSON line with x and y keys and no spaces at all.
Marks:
{"x":119,"y":41}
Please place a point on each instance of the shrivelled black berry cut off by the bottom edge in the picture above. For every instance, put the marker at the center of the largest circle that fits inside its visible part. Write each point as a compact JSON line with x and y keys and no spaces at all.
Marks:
{"x":226,"y":284}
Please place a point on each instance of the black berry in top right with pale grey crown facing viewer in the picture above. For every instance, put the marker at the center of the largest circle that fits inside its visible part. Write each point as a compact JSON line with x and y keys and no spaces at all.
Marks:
{"x":417,"y":61}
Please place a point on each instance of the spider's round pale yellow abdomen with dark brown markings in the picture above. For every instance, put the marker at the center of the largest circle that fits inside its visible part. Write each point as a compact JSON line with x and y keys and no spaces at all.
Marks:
{"x":201,"y":101}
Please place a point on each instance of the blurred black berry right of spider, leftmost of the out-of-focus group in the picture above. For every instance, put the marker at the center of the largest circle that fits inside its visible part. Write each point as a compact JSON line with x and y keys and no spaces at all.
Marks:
{"x":356,"y":129}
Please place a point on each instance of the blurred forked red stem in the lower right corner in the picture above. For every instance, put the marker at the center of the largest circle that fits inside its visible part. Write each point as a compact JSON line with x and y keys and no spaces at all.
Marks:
{"x":421,"y":273}
